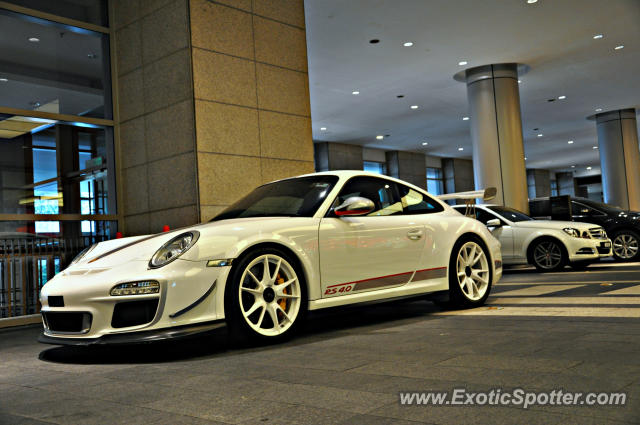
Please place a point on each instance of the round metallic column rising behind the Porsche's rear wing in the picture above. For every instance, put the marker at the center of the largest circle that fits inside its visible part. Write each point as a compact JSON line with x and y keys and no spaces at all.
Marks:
{"x":496,"y":133}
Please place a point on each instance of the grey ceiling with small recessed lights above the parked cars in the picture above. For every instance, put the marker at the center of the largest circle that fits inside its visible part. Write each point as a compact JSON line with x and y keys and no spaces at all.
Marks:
{"x":553,"y":37}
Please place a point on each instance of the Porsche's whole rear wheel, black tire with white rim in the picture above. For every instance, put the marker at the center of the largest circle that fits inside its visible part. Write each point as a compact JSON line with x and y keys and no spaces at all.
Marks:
{"x":470,"y":273}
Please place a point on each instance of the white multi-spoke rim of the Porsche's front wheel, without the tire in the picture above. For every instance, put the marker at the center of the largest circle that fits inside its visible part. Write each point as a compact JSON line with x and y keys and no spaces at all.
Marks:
{"x":269,"y":295}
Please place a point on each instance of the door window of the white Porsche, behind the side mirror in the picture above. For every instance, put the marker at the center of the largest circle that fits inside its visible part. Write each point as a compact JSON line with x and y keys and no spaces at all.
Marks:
{"x":380,"y":191}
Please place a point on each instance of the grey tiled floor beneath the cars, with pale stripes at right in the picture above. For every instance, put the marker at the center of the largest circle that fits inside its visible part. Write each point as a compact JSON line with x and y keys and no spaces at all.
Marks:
{"x":575,"y":331}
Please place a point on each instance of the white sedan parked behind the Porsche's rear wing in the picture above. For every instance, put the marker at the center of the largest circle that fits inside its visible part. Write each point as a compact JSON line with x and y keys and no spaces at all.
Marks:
{"x":548,"y":245}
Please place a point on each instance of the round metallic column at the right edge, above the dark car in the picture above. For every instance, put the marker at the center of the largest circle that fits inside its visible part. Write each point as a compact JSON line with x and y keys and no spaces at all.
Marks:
{"x":619,"y":158}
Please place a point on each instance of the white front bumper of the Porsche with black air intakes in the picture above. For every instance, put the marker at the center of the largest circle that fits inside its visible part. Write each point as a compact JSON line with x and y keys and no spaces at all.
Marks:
{"x":78,"y":308}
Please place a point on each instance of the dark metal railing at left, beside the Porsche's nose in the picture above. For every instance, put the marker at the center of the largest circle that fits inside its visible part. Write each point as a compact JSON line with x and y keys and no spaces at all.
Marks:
{"x":26,"y":264}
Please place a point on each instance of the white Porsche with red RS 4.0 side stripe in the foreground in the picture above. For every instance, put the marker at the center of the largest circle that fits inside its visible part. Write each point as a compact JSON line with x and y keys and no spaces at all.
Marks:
{"x":304,"y":243}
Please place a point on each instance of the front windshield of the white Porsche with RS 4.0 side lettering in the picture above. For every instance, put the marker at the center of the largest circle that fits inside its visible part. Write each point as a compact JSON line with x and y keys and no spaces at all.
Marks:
{"x":297,"y":197}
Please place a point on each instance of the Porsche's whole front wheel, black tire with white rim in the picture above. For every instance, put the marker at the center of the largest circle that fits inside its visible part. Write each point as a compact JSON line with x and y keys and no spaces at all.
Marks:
{"x":255,"y":300}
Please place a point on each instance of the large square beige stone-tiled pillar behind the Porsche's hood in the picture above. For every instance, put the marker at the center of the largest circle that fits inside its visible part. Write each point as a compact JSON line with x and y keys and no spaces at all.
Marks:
{"x":213,"y":101}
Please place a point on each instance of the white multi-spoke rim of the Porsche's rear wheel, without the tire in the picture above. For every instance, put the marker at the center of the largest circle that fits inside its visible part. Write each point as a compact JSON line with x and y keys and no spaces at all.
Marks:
{"x":473,"y":271}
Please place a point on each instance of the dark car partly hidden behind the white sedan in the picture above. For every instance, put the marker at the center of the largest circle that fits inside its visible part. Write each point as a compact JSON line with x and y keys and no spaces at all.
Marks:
{"x":622,"y":227}
